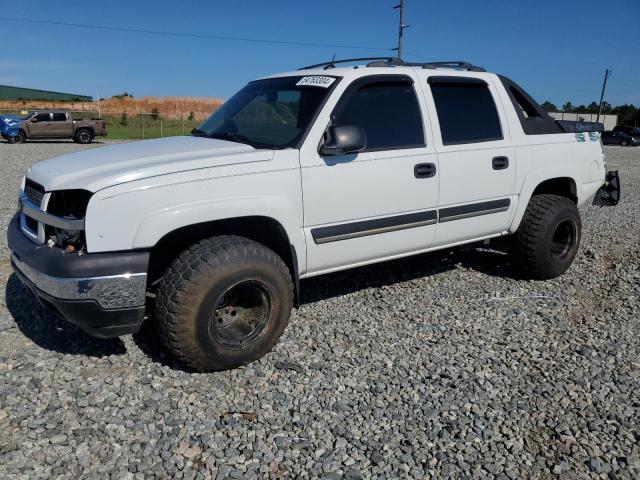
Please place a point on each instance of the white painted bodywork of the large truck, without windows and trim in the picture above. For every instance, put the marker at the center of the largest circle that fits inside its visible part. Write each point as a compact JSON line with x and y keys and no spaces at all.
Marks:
{"x":145,"y":190}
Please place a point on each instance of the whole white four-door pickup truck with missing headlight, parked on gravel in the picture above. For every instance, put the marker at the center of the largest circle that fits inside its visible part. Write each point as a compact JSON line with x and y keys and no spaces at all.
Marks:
{"x":300,"y":174}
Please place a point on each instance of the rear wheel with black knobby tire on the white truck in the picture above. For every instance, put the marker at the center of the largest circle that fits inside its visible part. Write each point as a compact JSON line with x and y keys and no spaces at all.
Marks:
{"x":548,"y":237}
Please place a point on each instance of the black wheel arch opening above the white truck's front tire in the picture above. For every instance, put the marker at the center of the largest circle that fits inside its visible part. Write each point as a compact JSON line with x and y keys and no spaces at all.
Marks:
{"x":261,"y":229}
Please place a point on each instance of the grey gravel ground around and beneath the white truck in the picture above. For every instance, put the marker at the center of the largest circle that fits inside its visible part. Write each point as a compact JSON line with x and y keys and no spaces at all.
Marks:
{"x":442,"y":365}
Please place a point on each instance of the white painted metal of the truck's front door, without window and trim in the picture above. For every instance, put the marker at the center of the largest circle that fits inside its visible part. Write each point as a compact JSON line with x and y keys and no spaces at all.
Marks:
{"x":364,"y":186}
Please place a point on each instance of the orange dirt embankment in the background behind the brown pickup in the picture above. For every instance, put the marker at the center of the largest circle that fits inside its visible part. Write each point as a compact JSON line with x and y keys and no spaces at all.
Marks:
{"x":168,"y":107}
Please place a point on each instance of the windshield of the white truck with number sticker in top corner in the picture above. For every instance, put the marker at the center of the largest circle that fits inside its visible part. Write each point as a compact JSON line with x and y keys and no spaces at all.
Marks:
{"x":271,"y":113}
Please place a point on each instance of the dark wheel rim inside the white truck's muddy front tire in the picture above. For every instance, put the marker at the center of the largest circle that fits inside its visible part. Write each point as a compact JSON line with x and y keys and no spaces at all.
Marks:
{"x":241,"y":314}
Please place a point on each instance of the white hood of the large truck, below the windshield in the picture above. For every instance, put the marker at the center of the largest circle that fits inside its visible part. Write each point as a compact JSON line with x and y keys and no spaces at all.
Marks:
{"x":97,"y":168}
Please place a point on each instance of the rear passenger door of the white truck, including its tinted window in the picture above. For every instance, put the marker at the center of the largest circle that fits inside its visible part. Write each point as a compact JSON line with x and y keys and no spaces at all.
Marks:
{"x":476,"y":158}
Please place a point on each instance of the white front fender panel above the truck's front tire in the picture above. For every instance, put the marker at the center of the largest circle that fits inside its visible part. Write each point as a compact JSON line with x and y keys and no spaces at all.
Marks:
{"x":138,"y":214}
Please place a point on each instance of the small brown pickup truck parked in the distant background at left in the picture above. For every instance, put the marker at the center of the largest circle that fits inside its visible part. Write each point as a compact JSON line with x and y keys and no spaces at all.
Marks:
{"x":59,"y":124}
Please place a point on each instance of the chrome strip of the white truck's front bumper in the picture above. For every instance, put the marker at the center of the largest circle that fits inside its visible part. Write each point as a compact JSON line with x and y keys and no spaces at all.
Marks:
{"x":110,"y":292}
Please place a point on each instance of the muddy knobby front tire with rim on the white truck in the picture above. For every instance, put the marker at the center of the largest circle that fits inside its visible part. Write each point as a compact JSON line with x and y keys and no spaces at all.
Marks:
{"x":223,"y":303}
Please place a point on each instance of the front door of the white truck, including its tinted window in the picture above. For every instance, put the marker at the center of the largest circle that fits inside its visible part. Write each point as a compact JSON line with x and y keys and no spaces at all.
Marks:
{"x":381,"y":202}
